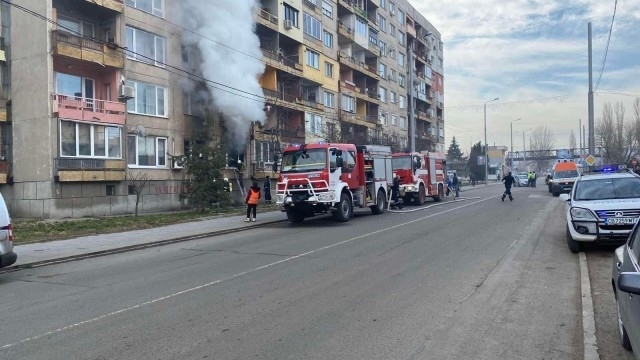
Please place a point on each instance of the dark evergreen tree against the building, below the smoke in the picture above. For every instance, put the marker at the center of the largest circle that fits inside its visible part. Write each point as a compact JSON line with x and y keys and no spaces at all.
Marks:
{"x":204,"y":162}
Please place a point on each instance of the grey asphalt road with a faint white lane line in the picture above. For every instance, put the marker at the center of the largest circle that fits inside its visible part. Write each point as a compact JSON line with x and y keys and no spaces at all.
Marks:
{"x":477,"y":279}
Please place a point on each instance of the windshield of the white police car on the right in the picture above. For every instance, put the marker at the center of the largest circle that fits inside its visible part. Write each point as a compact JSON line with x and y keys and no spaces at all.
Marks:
{"x":614,"y":188}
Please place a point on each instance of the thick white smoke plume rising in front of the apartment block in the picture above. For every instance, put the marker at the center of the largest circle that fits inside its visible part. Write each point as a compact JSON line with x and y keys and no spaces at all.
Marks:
{"x":231,"y":57}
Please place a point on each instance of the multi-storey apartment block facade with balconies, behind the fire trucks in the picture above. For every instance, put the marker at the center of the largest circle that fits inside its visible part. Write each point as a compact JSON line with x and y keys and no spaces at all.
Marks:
{"x":96,"y":98}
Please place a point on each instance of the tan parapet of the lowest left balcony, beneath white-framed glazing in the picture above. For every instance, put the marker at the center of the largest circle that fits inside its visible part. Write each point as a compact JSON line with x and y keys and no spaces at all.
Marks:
{"x":81,"y":170}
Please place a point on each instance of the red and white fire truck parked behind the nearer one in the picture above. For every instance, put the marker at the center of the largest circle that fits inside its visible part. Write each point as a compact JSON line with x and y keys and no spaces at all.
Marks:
{"x":421,"y":175}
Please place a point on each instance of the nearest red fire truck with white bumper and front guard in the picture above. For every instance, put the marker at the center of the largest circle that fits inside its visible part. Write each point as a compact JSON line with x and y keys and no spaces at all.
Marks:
{"x":322,"y":177}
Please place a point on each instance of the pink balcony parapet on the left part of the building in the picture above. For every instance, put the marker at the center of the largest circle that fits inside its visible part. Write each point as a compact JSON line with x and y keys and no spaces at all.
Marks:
{"x":94,"y":110}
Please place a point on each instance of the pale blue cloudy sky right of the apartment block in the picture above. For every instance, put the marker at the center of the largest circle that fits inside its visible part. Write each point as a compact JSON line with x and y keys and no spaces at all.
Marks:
{"x":533,"y":56}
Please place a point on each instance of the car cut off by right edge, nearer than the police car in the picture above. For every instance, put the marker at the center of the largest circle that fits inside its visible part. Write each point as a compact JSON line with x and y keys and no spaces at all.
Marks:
{"x":625,"y":278}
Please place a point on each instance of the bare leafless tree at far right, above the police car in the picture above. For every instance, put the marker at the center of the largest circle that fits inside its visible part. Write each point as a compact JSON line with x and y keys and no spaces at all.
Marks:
{"x":618,"y":140}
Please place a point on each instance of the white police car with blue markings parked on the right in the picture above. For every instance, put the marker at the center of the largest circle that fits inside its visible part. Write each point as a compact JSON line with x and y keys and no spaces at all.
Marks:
{"x":603,"y":207}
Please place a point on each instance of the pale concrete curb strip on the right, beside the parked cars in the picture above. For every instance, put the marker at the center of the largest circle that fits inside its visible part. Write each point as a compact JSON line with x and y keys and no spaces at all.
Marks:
{"x":588,"y":316}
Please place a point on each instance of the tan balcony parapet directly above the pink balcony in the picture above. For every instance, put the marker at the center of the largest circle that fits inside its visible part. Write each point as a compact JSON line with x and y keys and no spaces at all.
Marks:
{"x":87,"y":49}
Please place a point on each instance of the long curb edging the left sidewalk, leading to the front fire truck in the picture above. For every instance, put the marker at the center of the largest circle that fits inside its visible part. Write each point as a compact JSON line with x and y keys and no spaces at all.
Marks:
{"x":123,"y":249}
